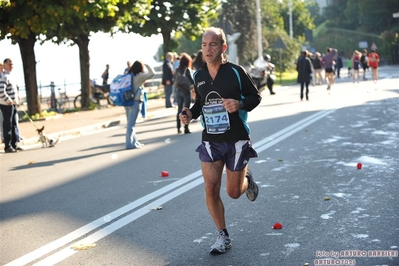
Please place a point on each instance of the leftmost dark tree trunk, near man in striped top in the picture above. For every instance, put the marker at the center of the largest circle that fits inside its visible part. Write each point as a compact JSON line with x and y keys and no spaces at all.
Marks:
{"x":26,"y":46}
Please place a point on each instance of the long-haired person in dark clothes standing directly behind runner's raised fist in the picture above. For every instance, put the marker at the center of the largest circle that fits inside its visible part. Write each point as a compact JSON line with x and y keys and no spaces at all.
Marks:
{"x":183,"y":95}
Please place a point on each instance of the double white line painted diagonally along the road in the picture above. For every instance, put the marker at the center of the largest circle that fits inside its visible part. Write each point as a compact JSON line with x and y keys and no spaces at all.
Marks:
{"x":108,"y":218}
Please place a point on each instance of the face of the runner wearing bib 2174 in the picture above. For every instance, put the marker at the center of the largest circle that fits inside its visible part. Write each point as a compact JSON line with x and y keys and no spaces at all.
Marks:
{"x":212,"y":49}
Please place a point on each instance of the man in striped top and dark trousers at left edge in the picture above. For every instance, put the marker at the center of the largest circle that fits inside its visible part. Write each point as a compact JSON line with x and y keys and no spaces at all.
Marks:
{"x":8,"y":107}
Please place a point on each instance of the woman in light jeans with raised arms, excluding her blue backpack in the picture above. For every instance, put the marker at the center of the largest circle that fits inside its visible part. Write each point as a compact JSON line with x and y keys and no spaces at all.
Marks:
{"x":132,"y":111}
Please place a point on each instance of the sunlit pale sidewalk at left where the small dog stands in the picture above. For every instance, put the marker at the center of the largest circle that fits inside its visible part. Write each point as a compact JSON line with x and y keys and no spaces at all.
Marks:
{"x":77,"y":123}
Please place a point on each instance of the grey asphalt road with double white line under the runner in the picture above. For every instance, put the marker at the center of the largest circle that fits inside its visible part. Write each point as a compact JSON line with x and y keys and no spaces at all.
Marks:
{"x":113,"y":204}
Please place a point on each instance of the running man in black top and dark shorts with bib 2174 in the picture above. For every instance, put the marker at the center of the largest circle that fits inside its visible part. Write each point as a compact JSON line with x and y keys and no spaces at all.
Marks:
{"x":225,"y":93}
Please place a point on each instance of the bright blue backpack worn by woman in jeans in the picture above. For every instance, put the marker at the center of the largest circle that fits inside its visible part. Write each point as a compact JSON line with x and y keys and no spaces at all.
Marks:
{"x":121,"y":90}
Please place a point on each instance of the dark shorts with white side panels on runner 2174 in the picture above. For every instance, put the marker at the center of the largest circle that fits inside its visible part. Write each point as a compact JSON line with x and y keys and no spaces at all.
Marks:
{"x":235,"y":155}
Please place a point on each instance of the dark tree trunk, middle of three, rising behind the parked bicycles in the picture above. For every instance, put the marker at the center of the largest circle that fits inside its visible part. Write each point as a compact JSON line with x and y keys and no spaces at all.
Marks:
{"x":83,"y":43}
